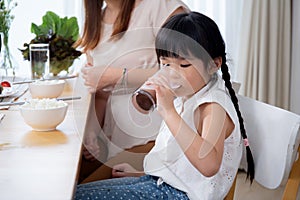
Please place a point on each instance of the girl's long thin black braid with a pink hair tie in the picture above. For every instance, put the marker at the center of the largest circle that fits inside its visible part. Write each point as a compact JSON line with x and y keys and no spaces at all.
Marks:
{"x":226,"y":78}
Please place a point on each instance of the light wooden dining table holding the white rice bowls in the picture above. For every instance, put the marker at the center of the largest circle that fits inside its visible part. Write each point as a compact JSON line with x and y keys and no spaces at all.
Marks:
{"x":43,"y":165}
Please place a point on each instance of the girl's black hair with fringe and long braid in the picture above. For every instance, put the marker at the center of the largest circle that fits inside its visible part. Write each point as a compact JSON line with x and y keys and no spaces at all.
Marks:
{"x":194,"y":33}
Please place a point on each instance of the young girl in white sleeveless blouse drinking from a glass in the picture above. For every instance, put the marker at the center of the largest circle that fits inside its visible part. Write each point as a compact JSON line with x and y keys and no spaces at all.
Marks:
{"x":199,"y":146}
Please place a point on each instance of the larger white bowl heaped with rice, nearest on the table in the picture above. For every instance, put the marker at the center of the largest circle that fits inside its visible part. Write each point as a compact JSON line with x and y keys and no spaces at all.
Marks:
{"x":44,"y":114}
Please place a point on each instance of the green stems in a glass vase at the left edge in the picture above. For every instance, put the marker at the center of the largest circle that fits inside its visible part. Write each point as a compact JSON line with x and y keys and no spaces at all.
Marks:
{"x":6,"y":18}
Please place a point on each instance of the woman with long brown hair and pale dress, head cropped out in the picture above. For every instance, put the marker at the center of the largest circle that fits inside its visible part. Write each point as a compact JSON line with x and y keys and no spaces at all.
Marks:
{"x":113,"y":48}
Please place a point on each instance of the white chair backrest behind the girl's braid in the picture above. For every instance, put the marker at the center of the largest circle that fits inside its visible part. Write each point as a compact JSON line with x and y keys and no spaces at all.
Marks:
{"x":274,"y":137}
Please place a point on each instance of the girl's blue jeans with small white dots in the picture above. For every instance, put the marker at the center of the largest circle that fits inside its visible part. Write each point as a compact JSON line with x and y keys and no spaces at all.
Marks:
{"x":144,"y":187}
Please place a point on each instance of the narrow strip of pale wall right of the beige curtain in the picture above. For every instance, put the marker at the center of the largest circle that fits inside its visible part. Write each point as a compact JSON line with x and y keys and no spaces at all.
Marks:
{"x":295,"y":76}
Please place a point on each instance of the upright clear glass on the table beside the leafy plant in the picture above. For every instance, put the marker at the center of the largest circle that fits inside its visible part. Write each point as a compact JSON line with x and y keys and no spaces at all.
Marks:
{"x":39,"y":60}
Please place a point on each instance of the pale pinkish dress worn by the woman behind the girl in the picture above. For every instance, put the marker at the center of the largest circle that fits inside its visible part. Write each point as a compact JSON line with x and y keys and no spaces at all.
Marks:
{"x":125,"y":126}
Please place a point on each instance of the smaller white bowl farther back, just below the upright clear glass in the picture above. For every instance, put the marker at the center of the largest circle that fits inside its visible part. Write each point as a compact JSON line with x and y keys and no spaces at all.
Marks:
{"x":46,"y":88}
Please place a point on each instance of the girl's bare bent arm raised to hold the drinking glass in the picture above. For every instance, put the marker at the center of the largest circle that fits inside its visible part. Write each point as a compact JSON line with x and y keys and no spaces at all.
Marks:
{"x":204,"y":149}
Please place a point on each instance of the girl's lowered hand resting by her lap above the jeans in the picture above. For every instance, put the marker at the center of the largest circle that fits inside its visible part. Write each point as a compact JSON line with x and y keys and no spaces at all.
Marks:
{"x":125,"y":170}
